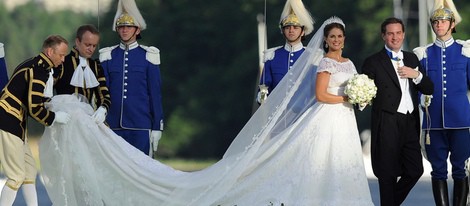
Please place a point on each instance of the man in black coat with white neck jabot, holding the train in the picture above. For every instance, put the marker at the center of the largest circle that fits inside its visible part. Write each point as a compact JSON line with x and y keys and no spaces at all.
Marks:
{"x":80,"y":74}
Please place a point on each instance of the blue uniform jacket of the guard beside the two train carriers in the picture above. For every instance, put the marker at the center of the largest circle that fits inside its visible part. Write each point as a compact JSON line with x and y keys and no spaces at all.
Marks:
{"x":133,"y":80}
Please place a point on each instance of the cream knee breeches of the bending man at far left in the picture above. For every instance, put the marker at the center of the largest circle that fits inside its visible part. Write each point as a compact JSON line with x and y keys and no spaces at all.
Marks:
{"x":17,"y":161}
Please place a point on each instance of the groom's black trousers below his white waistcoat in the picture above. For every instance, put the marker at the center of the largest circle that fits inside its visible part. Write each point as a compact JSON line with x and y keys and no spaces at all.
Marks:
{"x":397,"y":157}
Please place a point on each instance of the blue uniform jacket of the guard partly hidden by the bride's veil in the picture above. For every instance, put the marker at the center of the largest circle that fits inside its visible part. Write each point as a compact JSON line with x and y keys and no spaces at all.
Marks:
{"x":278,"y":61}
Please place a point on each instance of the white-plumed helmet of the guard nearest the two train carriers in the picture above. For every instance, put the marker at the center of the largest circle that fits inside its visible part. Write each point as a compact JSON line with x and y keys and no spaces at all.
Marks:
{"x":128,"y":14}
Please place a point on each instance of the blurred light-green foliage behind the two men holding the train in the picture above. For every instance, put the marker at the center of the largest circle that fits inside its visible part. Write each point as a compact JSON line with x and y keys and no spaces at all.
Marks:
{"x":25,"y":28}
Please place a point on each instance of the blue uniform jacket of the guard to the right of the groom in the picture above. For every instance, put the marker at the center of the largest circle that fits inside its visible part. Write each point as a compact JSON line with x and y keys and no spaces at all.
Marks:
{"x":449,"y":69}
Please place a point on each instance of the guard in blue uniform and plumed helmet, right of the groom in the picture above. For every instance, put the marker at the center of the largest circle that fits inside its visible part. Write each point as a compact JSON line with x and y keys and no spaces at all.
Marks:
{"x":447,"y":115}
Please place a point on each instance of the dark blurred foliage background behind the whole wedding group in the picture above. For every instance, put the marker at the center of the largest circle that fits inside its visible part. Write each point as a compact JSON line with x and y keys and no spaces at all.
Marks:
{"x":209,"y":55}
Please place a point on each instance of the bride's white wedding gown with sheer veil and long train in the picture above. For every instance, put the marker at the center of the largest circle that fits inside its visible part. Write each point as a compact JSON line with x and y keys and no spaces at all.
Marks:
{"x":293,"y":151}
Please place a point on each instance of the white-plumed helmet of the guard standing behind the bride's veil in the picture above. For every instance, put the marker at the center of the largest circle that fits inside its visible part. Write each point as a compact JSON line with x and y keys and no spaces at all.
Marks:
{"x":295,"y":14}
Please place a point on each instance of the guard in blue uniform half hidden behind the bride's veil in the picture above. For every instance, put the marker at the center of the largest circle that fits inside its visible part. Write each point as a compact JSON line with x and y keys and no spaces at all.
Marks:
{"x":295,"y":24}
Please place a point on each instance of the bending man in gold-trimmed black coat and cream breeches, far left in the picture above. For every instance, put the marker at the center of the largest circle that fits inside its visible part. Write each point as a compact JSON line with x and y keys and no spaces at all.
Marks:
{"x":24,"y":95}
